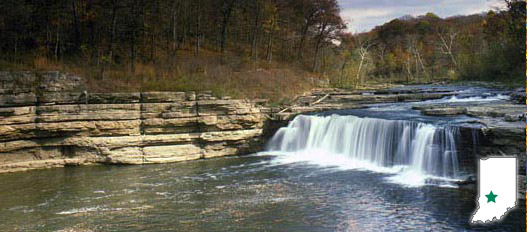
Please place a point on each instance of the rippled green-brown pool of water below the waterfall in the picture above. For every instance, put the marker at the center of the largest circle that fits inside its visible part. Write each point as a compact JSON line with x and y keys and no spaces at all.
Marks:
{"x":250,"y":193}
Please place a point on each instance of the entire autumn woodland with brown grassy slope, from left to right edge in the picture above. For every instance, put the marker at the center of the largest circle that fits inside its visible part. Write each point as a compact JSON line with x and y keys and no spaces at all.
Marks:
{"x":254,"y":48}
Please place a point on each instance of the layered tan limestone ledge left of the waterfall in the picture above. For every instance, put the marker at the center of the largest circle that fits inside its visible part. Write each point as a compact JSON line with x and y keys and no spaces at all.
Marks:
{"x":48,"y":120}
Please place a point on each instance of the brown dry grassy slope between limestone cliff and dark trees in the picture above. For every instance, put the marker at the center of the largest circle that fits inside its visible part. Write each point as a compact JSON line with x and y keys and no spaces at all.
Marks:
{"x":236,"y":77}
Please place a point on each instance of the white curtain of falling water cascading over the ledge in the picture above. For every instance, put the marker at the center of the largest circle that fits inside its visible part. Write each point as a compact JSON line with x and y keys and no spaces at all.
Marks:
{"x":415,"y":152}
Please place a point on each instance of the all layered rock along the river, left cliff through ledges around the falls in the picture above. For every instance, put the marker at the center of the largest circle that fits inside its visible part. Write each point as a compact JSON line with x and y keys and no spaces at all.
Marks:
{"x":50,"y":120}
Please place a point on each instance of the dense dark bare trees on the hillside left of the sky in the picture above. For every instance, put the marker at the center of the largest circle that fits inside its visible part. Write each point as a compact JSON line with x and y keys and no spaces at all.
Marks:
{"x":127,"y":32}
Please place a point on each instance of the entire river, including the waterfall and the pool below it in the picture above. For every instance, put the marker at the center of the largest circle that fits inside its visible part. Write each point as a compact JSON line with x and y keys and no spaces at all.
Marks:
{"x":309,"y":180}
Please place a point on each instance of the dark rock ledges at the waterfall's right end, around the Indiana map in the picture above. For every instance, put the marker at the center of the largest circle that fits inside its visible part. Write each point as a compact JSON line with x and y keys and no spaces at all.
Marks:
{"x":501,"y":132}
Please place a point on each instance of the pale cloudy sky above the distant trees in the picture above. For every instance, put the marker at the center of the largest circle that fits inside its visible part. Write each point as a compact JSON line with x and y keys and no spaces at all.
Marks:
{"x":364,"y":15}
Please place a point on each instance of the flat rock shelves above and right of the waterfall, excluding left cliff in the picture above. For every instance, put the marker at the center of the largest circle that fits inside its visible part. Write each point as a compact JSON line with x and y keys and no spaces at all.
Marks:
{"x":498,"y":128}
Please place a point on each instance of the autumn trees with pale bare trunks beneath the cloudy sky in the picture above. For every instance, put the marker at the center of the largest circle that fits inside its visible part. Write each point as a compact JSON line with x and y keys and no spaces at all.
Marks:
{"x":487,"y":46}
